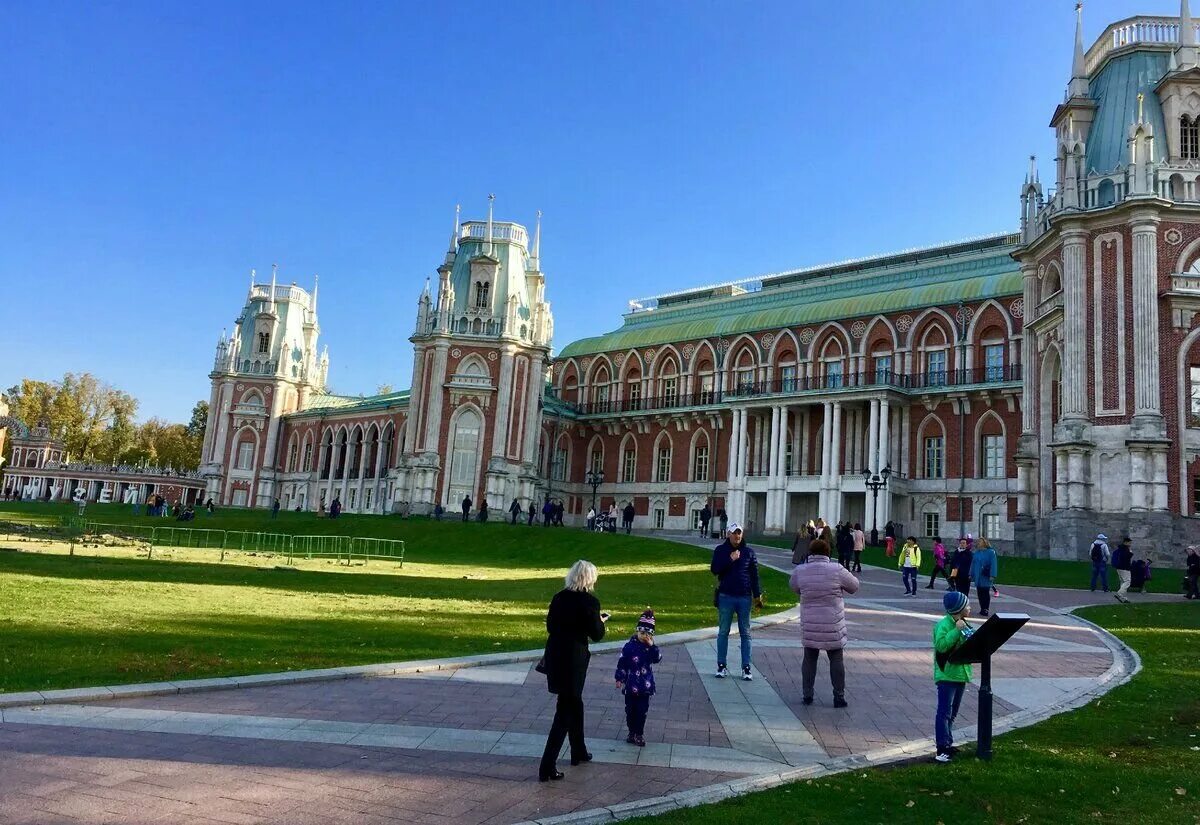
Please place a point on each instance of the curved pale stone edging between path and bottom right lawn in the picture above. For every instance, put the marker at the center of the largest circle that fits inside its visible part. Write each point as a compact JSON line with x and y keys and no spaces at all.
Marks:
{"x":1126,"y":665}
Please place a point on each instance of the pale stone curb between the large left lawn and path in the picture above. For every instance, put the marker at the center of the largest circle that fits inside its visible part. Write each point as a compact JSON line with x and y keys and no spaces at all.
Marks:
{"x":80,"y":695}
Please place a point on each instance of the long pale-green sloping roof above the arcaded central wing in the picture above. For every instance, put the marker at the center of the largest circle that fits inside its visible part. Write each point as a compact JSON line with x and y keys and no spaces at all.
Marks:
{"x":814,"y":297}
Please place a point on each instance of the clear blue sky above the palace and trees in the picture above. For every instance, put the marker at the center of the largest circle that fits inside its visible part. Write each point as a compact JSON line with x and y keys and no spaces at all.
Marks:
{"x":152,"y":154}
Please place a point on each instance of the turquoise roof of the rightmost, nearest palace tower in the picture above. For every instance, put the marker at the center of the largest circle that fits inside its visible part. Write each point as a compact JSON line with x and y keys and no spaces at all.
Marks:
{"x":1115,"y":91}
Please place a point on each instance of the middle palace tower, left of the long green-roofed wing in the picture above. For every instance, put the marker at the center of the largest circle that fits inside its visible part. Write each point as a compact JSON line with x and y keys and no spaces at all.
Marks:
{"x":481,"y":356}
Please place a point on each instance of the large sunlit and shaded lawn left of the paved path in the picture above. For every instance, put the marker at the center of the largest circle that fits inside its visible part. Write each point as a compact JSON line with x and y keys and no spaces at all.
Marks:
{"x":110,"y":617}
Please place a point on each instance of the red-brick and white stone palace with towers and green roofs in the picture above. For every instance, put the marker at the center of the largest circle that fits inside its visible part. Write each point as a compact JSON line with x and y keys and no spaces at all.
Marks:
{"x":1035,"y":388}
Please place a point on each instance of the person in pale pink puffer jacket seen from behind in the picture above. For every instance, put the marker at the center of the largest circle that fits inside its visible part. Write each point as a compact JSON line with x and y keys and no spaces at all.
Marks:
{"x":821,"y":585}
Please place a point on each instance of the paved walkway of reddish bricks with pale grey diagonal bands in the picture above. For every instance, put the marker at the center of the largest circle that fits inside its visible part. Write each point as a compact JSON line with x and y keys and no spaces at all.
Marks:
{"x":460,"y":745}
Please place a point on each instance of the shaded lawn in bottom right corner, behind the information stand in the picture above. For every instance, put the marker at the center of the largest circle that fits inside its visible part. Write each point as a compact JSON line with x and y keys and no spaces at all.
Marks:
{"x":1132,"y":756}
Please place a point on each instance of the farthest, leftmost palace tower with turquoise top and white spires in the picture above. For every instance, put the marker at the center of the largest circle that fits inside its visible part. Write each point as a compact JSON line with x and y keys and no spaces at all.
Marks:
{"x":267,"y":369}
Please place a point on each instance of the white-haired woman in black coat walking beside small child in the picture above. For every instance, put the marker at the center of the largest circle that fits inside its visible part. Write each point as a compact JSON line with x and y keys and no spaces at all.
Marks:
{"x":574,"y":619}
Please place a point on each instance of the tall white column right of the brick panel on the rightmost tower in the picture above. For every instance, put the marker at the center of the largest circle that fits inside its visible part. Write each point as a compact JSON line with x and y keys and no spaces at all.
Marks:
{"x":1147,"y":390}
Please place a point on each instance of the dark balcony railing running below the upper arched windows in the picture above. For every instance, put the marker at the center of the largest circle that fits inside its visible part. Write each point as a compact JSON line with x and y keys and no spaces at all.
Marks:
{"x":785,"y":387}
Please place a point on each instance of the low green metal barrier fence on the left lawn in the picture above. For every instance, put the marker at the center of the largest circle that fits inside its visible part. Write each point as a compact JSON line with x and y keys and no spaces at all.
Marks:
{"x":247,"y":541}
